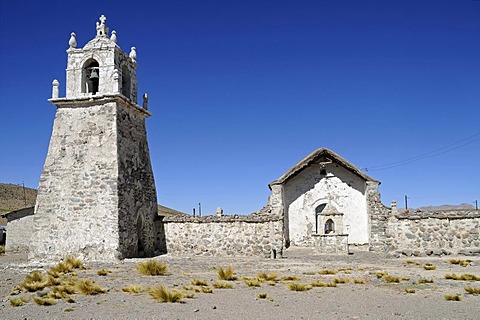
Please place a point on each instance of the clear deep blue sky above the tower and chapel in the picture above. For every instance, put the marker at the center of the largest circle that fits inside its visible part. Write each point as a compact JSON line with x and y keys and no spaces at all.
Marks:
{"x":240,"y":91}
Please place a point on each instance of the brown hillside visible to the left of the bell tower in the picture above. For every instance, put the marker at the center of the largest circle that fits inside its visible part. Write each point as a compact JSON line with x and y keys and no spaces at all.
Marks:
{"x":12,"y":197}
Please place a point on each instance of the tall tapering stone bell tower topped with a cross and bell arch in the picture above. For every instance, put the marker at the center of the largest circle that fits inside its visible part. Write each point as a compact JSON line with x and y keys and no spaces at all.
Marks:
{"x":96,"y":197}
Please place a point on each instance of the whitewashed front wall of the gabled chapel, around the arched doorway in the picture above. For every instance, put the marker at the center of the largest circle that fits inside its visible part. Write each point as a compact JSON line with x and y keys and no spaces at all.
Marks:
{"x":339,"y":188}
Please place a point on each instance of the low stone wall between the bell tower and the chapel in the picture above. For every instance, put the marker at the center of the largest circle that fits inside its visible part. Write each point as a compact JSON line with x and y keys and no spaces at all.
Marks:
{"x":235,"y":235}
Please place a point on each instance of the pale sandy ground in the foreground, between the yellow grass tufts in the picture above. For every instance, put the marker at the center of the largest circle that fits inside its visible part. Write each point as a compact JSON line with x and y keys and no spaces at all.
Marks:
{"x":376,"y":299}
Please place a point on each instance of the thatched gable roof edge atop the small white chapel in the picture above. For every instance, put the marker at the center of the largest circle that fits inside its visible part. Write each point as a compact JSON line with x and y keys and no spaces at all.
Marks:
{"x":317,"y":156}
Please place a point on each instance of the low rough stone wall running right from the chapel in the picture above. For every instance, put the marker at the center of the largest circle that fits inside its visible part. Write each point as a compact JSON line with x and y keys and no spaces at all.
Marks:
{"x":426,"y":233}
